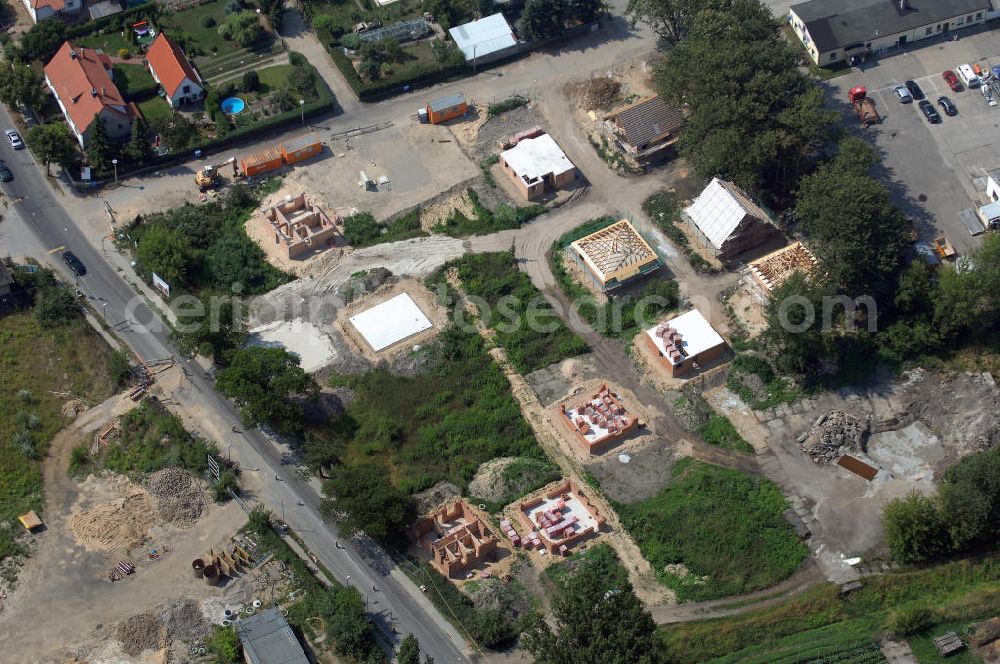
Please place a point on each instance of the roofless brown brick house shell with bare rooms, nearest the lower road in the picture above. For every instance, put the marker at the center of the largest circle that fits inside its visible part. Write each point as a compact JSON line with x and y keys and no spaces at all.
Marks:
{"x":457,"y":539}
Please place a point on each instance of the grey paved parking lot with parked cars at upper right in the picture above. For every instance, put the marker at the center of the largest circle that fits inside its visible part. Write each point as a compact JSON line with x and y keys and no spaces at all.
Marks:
{"x":933,"y":170}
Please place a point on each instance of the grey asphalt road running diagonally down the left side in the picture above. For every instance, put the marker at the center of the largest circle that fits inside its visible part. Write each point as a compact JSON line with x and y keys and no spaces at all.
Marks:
{"x":386,"y":588}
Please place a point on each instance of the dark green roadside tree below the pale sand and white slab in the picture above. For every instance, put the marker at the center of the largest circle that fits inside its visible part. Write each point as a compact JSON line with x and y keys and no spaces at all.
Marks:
{"x":264,"y":383}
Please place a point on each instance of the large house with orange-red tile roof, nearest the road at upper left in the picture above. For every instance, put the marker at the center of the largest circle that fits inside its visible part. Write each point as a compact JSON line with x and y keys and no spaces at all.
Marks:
{"x":80,"y":80}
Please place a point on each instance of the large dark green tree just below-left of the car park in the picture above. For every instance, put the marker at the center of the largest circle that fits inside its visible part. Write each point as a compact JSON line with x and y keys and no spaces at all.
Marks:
{"x":858,"y":234}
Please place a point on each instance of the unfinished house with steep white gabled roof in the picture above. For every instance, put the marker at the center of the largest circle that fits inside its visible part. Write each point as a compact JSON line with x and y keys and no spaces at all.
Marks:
{"x":727,"y":220}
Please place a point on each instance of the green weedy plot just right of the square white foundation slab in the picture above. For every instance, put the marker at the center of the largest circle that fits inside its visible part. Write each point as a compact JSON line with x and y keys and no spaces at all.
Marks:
{"x":523,"y":321}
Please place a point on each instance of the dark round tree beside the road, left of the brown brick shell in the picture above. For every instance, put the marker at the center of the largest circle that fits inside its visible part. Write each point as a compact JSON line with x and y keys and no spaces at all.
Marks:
{"x":363,"y":499}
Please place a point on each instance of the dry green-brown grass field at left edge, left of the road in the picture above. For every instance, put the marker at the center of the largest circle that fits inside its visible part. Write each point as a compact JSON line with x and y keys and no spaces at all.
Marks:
{"x":42,"y":369}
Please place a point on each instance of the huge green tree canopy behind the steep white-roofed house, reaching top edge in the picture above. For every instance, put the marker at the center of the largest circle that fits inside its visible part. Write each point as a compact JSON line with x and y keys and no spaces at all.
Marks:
{"x":760,"y":122}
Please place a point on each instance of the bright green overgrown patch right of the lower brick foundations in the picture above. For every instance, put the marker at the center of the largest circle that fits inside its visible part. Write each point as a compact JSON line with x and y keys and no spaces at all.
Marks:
{"x":720,"y":524}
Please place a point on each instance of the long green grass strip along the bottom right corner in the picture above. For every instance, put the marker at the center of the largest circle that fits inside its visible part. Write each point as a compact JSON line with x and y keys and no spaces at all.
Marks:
{"x":792,"y":631}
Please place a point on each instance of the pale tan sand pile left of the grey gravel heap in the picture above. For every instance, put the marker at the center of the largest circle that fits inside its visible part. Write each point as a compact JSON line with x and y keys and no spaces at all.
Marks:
{"x":115,"y":526}
